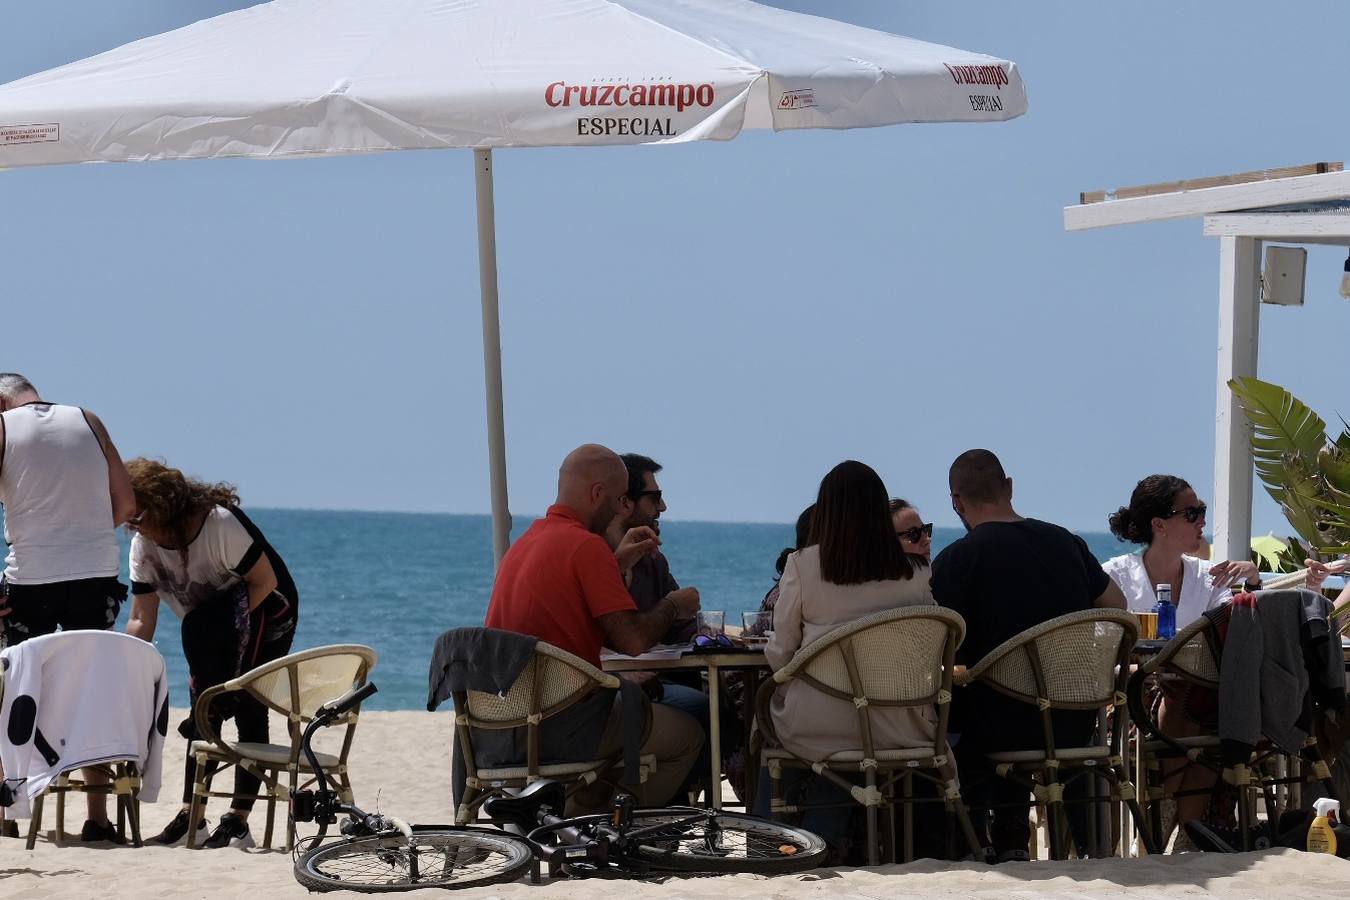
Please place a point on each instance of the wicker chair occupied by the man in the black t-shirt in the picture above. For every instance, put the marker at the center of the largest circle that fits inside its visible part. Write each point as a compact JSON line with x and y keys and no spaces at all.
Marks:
{"x":1075,"y":662}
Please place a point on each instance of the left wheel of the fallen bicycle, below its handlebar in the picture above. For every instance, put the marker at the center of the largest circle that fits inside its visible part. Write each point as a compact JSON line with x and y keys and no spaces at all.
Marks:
{"x":434,"y":859}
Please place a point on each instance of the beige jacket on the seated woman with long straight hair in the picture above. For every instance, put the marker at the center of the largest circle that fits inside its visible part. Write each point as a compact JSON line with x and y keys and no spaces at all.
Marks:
{"x":811,"y":724}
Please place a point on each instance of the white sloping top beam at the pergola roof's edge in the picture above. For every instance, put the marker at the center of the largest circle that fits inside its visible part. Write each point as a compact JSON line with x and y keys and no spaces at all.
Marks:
{"x":1333,"y":186}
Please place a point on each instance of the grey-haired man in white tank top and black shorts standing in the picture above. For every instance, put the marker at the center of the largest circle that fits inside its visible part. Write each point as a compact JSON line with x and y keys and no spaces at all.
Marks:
{"x":65,"y":492}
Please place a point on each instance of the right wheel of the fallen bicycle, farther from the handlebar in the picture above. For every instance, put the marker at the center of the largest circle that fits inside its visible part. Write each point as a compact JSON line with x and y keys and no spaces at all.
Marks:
{"x":713,"y":841}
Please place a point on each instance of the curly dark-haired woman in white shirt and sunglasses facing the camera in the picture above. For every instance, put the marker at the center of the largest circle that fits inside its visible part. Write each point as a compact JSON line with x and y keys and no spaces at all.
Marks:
{"x":1168,"y":519}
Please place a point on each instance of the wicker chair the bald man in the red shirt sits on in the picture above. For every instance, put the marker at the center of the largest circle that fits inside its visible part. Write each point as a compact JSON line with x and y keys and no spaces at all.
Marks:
{"x":553,"y":682}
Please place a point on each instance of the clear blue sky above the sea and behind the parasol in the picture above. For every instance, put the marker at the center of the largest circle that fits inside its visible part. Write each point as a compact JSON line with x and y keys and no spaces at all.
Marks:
{"x":749,"y":314}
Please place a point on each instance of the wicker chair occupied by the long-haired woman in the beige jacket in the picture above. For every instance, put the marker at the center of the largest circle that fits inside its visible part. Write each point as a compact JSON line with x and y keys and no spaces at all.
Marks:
{"x":897,"y":659}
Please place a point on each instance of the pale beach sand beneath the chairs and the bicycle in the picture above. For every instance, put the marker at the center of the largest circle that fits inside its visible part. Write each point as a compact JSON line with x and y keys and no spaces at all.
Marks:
{"x":404,"y":759}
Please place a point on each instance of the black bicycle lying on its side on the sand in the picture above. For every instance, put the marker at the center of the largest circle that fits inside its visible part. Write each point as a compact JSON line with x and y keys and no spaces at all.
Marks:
{"x":385,"y":853}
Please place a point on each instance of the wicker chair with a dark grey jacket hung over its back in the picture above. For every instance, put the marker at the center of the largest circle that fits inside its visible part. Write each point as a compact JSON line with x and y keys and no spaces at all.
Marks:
{"x":1194,"y":659}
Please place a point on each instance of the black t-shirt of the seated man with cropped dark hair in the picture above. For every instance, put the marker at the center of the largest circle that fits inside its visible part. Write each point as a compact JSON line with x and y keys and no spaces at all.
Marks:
{"x":1005,"y":578}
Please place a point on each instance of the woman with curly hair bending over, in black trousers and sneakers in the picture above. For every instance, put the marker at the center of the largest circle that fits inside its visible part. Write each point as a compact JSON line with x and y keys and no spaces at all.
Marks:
{"x":195,"y":550}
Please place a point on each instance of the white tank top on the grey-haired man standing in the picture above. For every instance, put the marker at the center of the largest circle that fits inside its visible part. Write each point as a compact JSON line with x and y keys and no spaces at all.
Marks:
{"x":55,"y":489}
